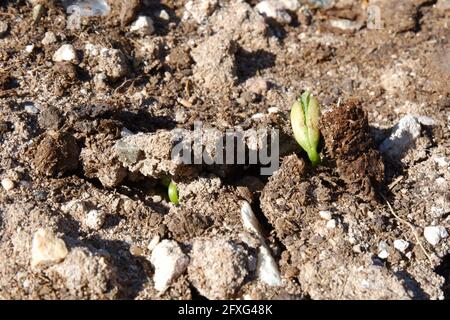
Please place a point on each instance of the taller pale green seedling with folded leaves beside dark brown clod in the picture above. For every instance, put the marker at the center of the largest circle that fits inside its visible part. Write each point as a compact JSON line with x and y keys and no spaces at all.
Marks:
{"x":305,"y":115}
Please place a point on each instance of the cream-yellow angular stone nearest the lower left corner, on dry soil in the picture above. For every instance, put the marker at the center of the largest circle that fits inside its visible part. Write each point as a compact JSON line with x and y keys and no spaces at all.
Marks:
{"x":46,"y":248}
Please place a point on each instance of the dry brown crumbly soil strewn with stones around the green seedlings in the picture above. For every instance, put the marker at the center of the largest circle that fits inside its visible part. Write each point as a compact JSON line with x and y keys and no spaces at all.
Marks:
{"x":87,"y":112}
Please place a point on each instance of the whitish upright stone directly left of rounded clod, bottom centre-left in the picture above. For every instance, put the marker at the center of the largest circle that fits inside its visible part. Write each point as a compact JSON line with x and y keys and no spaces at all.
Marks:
{"x":169,"y":262}
